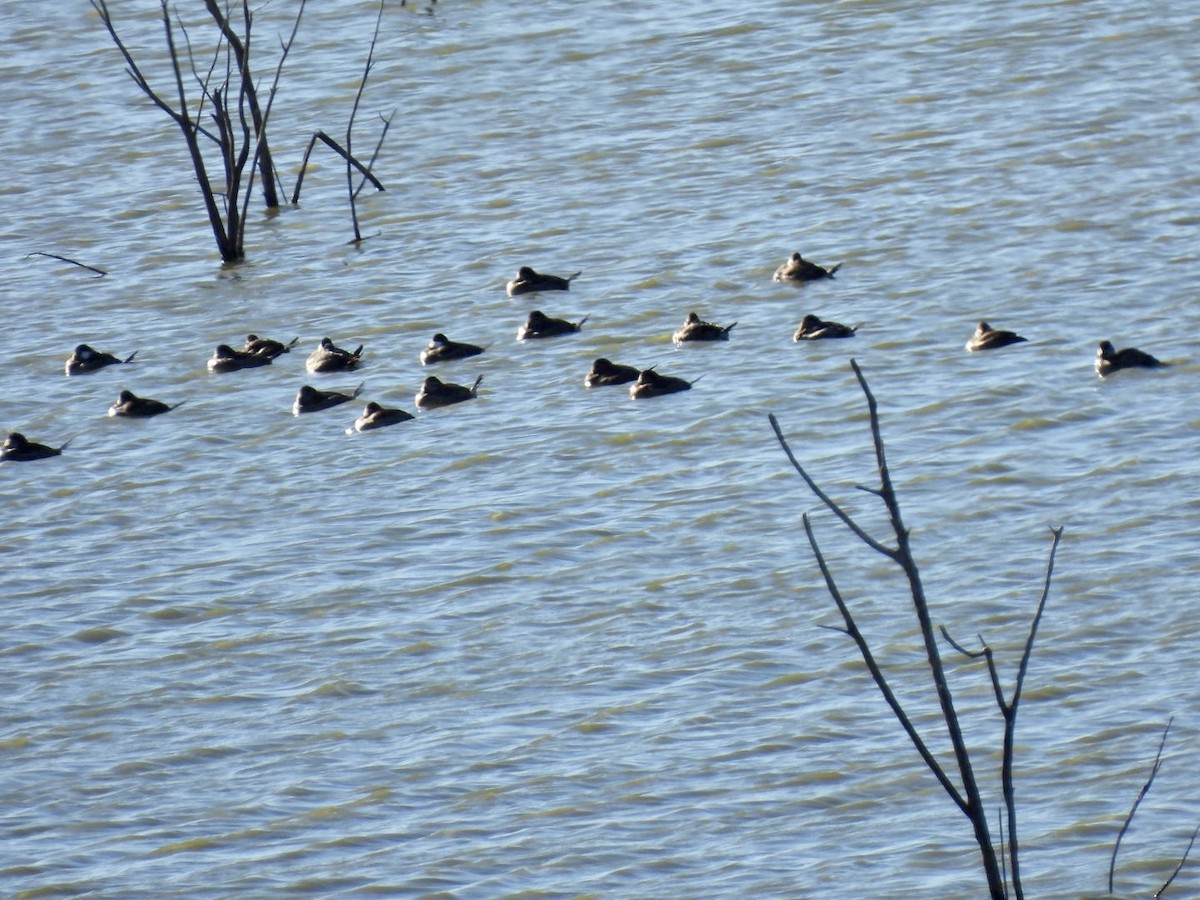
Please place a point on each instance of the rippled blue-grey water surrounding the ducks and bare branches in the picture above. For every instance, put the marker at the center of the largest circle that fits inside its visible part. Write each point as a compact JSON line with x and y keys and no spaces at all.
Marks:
{"x":555,"y":643}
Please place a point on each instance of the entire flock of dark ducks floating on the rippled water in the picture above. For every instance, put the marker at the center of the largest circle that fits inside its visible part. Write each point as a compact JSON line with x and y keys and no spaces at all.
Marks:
{"x":436,"y":393}
